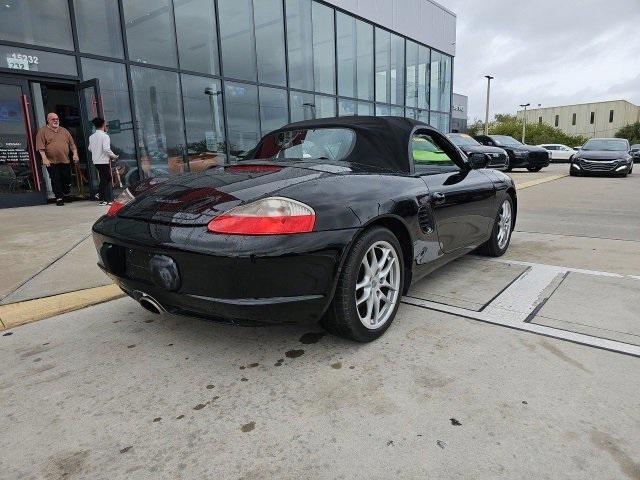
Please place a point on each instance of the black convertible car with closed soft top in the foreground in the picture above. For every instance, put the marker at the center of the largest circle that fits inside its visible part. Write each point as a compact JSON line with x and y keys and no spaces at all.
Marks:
{"x":326,"y":220}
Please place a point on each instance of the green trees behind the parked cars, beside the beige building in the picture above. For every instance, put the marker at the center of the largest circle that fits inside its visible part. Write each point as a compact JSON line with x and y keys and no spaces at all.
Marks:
{"x":537,"y":133}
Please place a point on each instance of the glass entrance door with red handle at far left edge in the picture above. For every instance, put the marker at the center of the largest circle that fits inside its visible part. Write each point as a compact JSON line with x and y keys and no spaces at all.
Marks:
{"x":19,"y":177}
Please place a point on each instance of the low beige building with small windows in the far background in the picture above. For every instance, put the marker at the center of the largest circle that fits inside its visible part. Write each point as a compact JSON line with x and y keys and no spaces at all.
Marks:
{"x":624,"y":113}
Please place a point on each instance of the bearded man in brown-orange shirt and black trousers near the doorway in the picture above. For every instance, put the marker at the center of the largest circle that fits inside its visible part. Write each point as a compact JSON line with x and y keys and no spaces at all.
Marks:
{"x":54,"y":144}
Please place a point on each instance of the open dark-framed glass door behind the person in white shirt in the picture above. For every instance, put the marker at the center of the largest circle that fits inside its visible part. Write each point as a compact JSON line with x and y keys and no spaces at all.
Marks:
{"x":90,"y":108}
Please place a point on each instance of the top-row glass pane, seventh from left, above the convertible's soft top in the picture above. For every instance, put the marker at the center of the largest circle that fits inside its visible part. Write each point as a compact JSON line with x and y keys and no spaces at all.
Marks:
{"x":300,"y":44}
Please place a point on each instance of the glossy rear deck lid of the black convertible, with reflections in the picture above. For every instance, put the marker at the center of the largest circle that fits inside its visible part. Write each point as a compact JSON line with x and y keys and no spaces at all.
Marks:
{"x":196,"y":198}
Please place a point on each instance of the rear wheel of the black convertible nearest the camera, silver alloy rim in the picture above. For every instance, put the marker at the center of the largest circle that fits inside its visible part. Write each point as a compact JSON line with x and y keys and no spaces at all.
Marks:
{"x":343,"y":318}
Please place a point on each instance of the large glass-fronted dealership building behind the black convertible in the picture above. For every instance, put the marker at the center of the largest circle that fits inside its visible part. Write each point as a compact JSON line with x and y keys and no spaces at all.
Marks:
{"x":189,"y":84}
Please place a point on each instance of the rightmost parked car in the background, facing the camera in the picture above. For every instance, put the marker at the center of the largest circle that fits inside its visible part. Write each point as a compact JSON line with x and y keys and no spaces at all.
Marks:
{"x":603,"y":156}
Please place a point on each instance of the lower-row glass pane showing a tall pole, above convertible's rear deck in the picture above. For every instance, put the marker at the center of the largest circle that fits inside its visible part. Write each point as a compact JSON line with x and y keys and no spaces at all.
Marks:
{"x":204,"y":122}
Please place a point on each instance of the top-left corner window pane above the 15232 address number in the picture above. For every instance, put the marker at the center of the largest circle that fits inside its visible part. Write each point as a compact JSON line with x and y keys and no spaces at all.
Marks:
{"x":41,"y":22}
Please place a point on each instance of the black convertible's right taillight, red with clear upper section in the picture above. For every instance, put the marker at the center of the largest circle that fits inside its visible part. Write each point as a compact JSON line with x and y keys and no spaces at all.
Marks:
{"x":270,"y":216}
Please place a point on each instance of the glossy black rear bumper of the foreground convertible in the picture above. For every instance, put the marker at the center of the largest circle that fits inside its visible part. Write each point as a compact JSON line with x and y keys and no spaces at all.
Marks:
{"x":237,"y":279}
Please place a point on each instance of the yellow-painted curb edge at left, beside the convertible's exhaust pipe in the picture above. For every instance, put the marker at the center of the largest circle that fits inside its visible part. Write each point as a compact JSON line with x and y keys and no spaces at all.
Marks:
{"x":21,"y":313}
